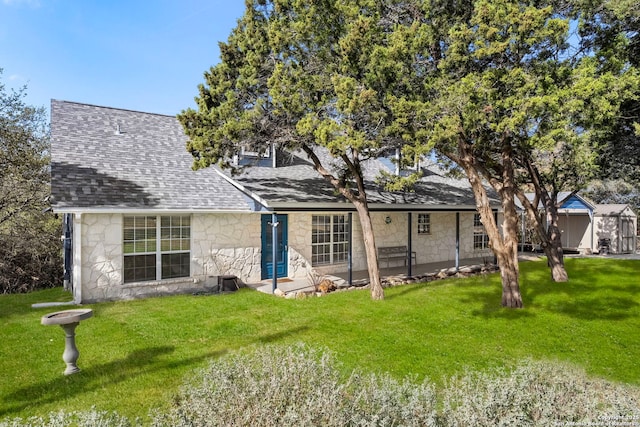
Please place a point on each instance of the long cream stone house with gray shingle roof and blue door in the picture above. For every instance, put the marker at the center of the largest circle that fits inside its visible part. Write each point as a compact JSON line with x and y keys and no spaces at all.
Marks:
{"x":142,"y":222}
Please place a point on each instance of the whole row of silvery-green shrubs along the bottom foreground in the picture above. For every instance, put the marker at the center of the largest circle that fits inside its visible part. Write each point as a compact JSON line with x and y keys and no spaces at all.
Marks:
{"x":299,"y":385}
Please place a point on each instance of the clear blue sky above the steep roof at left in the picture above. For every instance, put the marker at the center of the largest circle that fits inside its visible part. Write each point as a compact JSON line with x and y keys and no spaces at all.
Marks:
{"x":132,"y":54}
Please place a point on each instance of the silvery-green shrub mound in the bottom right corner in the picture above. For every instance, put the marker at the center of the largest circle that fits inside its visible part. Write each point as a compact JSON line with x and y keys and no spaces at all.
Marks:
{"x":536,"y":394}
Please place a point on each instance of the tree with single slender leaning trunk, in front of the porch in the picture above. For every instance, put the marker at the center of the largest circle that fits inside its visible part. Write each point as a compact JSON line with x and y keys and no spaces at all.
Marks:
{"x":310,"y":76}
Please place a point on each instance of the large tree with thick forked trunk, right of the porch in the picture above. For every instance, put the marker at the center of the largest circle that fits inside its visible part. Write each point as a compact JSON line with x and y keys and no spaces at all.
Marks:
{"x":501,"y":92}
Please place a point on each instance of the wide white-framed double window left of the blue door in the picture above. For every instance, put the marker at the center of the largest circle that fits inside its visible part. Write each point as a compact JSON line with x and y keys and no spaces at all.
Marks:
{"x":156,"y":248}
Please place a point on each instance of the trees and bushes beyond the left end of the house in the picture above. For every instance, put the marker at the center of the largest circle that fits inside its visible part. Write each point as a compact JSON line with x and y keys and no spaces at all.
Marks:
{"x":30,"y":253}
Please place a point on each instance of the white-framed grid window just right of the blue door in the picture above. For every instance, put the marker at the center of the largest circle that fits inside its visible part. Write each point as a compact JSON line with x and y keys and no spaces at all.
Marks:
{"x":329,"y":239}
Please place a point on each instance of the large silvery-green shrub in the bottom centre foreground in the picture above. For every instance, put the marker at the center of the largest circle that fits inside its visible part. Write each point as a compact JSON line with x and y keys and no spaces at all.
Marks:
{"x":277,"y":386}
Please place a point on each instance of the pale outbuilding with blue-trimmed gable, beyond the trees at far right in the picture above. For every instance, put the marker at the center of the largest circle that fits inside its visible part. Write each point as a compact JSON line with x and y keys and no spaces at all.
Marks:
{"x":586,"y":226}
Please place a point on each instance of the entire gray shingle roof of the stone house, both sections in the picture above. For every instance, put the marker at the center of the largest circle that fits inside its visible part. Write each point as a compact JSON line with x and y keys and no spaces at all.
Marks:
{"x":107,"y":158}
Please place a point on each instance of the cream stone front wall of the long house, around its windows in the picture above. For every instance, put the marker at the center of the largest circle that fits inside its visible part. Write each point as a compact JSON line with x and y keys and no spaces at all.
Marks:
{"x":230,"y":244}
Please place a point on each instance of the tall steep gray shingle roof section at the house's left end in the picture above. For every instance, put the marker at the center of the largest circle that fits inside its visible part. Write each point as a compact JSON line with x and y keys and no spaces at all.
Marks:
{"x":143,"y":166}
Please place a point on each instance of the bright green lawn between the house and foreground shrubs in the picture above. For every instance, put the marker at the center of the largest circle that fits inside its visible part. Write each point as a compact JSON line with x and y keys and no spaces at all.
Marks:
{"x":135,"y":355}
